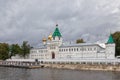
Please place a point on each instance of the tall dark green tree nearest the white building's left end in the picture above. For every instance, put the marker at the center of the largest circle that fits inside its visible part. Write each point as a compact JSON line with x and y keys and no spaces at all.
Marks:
{"x":25,"y":48}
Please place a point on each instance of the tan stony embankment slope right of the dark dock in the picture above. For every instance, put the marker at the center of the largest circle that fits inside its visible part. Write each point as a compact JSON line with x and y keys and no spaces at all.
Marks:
{"x":102,"y":67}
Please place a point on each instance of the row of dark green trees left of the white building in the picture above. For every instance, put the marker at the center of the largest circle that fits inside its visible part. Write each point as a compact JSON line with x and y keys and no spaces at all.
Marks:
{"x":6,"y":50}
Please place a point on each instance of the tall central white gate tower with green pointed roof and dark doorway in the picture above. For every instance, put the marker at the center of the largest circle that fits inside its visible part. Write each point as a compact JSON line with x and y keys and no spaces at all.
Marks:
{"x":54,"y":41}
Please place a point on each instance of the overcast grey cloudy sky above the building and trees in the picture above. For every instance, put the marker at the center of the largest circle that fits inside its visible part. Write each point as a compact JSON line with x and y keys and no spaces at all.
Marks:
{"x":30,"y":20}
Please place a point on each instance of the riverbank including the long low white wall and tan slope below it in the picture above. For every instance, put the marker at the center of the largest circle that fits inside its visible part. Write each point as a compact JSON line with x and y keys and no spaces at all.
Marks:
{"x":81,"y":64}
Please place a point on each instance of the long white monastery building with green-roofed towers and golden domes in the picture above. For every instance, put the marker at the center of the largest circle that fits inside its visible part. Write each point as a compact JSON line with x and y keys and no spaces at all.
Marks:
{"x":54,"y":49}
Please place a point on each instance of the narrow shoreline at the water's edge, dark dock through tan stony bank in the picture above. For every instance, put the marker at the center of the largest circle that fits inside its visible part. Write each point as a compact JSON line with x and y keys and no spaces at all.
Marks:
{"x":90,"y":67}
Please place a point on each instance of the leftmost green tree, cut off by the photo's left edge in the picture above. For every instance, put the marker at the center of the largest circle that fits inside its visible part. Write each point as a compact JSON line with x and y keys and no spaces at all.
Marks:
{"x":4,"y":51}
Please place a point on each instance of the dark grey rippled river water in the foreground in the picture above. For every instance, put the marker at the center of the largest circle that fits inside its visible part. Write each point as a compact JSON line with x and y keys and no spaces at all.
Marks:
{"x":55,"y":74}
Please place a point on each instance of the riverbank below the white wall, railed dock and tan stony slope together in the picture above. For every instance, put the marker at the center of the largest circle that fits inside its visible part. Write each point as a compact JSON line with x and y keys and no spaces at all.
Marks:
{"x":72,"y":66}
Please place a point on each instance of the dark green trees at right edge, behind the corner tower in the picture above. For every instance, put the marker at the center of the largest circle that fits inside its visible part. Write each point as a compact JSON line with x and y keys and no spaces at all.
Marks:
{"x":116,"y":37}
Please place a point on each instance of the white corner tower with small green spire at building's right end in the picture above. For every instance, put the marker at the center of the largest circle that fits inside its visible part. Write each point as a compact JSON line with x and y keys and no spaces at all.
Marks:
{"x":110,"y":48}
